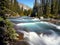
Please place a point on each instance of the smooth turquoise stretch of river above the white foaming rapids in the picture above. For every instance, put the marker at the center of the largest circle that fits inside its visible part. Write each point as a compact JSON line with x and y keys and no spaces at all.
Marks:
{"x":35,"y":25}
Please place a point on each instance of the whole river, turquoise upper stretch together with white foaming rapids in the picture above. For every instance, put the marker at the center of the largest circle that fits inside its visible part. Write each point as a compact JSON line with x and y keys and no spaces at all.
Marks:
{"x":36,"y":33}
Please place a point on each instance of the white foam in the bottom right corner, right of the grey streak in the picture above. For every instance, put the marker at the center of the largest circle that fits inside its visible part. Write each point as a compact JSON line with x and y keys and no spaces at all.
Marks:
{"x":53,"y":39}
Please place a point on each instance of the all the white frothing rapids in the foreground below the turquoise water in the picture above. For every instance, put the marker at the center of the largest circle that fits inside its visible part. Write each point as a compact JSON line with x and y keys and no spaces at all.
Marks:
{"x":42,"y":39}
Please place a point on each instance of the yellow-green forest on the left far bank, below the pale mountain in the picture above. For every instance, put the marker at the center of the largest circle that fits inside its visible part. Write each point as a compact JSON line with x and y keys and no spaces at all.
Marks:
{"x":13,"y":9}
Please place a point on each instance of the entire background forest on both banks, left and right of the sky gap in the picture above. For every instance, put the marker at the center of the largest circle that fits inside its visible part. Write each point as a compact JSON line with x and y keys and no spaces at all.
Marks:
{"x":45,"y":8}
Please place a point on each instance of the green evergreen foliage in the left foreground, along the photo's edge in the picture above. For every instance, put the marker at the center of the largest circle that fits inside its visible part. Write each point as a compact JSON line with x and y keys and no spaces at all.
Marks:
{"x":7,"y":32}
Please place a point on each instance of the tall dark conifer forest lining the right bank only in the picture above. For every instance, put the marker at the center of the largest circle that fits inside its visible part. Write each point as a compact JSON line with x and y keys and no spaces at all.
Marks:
{"x":46,"y":8}
